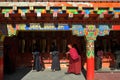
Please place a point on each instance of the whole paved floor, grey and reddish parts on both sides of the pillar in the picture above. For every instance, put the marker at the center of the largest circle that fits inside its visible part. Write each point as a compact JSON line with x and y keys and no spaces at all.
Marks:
{"x":47,"y":74}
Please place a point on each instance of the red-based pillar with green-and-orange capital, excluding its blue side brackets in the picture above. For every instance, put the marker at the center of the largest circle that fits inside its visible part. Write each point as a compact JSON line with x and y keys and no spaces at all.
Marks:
{"x":90,"y":34}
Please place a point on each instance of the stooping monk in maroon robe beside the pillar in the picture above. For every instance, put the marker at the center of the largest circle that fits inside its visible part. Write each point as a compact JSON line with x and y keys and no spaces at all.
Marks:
{"x":75,"y":61}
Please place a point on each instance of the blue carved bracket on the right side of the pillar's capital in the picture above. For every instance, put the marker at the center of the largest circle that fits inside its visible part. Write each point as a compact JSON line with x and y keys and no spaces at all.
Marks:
{"x":103,"y":30}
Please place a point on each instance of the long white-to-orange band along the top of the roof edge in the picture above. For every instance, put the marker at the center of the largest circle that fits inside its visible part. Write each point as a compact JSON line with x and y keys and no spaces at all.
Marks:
{"x":81,"y":4}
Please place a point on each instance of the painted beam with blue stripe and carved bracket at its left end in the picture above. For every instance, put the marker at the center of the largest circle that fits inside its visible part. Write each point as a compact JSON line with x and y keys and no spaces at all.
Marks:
{"x":35,"y":26}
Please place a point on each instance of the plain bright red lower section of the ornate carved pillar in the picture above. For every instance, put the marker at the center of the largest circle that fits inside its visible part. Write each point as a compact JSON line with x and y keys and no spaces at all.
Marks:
{"x":90,"y":68}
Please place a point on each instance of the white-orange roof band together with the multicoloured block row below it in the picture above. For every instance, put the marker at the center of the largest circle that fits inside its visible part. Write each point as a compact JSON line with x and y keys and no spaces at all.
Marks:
{"x":64,"y":5}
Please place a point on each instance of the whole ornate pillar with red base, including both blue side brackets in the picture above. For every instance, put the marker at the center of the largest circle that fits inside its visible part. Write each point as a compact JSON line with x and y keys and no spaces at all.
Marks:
{"x":90,"y":32}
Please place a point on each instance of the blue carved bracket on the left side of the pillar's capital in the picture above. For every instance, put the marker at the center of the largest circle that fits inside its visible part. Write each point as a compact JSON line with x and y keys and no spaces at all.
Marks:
{"x":78,"y":30}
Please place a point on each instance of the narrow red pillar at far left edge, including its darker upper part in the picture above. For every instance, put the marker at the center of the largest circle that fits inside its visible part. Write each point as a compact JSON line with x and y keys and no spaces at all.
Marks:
{"x":1,"y":61}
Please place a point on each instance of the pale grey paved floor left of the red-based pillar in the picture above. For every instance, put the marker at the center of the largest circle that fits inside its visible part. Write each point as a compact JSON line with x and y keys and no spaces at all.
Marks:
{"x":47,"y":74}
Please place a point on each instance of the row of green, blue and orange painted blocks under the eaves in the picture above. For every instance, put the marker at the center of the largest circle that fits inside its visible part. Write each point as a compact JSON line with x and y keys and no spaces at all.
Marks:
{"x":73,"y":11}
